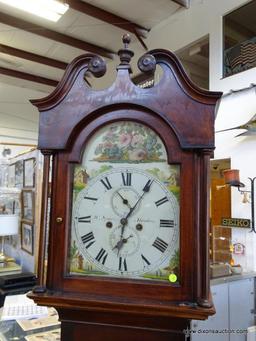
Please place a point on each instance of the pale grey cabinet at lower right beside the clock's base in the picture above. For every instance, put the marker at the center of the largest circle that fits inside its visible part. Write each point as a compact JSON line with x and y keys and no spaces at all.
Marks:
{"x":234,"y":303}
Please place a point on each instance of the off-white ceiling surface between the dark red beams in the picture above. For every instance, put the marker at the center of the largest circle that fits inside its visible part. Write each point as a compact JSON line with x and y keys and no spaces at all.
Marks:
{"x":18,"y":118}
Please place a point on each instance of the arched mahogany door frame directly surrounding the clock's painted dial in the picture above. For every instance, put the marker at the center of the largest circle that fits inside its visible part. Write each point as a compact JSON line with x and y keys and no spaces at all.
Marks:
{"x":120,"y":287}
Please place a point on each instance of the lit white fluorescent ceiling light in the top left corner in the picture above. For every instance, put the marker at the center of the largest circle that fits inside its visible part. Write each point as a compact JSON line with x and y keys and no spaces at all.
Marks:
{"x":47,"y":9}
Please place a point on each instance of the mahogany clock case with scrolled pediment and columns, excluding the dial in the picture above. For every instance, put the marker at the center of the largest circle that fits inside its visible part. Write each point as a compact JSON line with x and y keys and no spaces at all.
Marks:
{"x":183,"y":116}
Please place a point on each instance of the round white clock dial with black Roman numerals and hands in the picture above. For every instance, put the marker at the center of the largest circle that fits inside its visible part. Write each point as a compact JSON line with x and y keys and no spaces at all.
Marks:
{"x":126,"y":222}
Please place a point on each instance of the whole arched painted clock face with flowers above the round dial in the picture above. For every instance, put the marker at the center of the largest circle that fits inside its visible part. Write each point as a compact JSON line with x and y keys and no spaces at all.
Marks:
{"x":125,"y":214}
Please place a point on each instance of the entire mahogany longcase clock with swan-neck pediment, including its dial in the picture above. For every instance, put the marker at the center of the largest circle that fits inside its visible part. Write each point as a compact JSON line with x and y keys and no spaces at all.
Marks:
{"x":127,"y":253}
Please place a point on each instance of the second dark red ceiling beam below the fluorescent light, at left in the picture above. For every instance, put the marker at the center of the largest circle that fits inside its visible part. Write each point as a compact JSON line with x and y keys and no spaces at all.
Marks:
{"x":32,"y":57}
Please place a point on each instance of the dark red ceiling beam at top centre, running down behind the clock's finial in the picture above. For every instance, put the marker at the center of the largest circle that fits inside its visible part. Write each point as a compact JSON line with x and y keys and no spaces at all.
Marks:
{"x":109,"y":18}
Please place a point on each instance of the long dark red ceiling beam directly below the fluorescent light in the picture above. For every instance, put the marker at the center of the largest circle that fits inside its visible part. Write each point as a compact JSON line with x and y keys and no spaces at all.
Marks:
{"x":53,"y":35}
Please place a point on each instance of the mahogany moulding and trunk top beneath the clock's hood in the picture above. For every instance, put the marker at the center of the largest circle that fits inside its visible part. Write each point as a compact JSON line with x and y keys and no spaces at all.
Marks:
{"x":101,"y":319}
